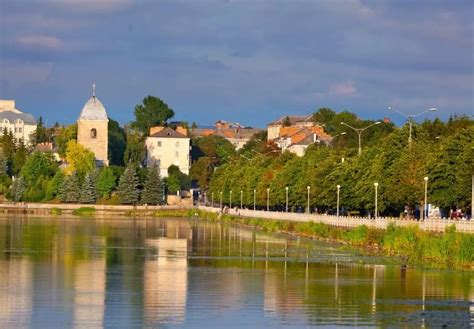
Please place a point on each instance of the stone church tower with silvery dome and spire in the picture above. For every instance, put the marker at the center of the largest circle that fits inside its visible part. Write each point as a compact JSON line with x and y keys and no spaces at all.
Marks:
{"x":92,"y":129}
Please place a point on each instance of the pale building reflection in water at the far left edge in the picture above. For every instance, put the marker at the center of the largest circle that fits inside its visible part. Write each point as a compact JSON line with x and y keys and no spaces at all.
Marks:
{"x":15,"y":293}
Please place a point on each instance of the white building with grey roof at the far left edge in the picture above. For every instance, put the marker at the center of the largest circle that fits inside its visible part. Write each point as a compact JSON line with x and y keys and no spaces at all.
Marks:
{"x":22,"y":125}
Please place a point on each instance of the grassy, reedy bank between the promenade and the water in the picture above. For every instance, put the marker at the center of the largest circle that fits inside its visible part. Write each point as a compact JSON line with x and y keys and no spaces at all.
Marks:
{"x":450,"y":249}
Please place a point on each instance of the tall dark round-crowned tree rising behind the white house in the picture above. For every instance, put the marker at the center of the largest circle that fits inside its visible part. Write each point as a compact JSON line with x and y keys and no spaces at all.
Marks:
{"x":153,"y":112}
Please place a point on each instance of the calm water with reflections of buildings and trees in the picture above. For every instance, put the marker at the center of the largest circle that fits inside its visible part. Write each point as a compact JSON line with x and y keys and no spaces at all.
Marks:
{"x":166,"y":273}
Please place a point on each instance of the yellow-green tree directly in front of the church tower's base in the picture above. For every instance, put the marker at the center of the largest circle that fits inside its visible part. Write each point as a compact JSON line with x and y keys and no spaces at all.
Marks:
{"x":79,"y":159}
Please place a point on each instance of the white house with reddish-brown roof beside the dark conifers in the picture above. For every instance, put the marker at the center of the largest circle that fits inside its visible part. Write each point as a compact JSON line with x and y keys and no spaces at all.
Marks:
{"x":167,"y":147}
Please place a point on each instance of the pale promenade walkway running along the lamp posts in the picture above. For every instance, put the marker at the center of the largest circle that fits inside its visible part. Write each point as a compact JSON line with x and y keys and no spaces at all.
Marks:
{"x":435,"y":225}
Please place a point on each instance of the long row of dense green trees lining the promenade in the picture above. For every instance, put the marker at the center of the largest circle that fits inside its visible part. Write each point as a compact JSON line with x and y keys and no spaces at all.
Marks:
{"x":442,"y":151}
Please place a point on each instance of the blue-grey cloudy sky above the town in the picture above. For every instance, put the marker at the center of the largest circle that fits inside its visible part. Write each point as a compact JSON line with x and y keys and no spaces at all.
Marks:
{"x":240,"y":61}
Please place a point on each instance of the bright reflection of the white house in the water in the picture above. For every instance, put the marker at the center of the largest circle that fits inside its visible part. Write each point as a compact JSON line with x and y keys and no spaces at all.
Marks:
{"x":165,"y":281}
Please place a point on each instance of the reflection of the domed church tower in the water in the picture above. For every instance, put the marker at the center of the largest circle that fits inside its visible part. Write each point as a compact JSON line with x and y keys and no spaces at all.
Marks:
{"x":89,"y":293}
